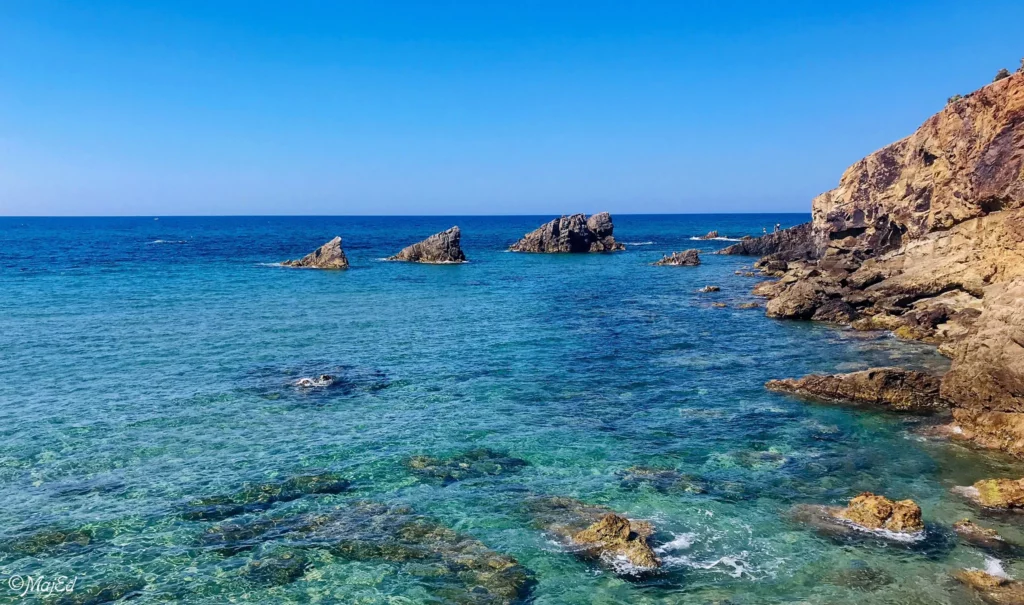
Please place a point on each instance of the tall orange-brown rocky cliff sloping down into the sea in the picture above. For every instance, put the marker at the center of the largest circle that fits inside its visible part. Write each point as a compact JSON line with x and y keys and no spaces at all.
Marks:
{"x":925,"y":238}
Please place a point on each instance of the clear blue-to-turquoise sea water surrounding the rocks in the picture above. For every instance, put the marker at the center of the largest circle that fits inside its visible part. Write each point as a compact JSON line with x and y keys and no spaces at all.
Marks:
{"x":147,"y":364}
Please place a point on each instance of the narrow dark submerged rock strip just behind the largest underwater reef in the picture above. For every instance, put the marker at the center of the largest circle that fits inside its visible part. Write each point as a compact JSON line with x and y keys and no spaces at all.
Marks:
{"x":255,"y":498}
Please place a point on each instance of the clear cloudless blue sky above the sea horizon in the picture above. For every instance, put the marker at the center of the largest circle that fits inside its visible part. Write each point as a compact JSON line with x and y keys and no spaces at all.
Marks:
{"x":135,"y":108}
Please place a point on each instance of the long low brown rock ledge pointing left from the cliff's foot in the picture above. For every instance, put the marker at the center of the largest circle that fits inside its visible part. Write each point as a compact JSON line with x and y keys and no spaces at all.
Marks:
{"x":891,"y":388}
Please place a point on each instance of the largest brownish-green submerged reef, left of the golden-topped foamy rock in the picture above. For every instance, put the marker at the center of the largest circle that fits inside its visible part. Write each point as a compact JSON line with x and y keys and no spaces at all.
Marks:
{"x":453,"y":567}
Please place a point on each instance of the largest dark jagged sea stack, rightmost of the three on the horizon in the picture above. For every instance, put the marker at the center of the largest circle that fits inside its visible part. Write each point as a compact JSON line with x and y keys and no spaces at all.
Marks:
{"x":572,"y":234}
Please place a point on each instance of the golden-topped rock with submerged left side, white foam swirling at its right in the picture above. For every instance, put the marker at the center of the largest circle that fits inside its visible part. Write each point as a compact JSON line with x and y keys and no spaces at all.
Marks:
{"x":598,"y":533}
